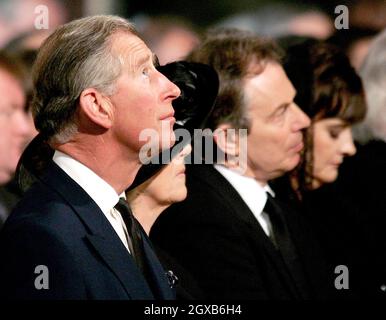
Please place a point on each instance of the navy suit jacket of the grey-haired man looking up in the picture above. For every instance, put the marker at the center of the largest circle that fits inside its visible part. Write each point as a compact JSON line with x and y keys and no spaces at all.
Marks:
{"x":59,"y":226}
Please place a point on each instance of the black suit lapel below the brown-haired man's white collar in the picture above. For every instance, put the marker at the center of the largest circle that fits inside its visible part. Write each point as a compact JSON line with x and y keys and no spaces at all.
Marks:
{"x":236,"y":204}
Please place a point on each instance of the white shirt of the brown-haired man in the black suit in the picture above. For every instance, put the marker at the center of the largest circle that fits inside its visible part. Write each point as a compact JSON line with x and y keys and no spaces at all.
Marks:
{"x":252,"y":192}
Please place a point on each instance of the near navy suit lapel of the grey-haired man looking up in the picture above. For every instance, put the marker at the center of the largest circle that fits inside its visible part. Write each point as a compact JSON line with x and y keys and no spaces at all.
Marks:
{"x":101,"y":234}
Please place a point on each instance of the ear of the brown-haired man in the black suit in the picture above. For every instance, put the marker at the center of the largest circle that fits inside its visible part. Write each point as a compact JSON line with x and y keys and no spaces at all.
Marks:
{"x":227,"y":139}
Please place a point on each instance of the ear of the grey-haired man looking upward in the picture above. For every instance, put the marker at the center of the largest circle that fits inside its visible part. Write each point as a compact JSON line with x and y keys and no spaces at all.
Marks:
{"x":97,"y":108}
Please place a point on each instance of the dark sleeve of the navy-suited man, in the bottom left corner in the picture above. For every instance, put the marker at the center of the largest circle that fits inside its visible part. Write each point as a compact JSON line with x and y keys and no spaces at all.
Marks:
{"x":23,"y":249}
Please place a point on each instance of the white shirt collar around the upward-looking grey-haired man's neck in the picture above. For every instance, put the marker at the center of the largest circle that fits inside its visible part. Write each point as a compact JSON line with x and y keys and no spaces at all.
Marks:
{"x":99,"y":190}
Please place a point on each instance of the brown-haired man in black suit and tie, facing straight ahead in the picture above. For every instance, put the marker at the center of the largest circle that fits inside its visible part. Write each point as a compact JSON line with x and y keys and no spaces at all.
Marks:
{"x":230,"y":232}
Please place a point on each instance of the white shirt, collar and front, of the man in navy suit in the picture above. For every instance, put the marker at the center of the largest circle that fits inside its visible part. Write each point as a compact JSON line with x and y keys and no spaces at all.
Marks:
{"x":99,"y":190}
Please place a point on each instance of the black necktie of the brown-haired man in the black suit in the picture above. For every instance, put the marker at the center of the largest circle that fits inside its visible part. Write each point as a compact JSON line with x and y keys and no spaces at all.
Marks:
{"x":282,"y":240}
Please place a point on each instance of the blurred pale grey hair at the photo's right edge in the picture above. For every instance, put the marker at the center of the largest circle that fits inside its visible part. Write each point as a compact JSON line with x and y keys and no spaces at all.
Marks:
{"x":373,"y":73}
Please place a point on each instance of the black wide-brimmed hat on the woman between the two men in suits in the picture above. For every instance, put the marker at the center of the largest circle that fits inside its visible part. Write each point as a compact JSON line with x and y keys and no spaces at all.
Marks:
{"x":199,"y":86}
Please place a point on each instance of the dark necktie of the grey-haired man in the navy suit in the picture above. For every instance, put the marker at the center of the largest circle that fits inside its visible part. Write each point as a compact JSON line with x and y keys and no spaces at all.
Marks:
{"x":134,"y":232}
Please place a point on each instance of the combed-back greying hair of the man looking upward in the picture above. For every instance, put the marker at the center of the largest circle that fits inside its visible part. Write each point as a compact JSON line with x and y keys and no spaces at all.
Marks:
{"x":75,"y":57}
